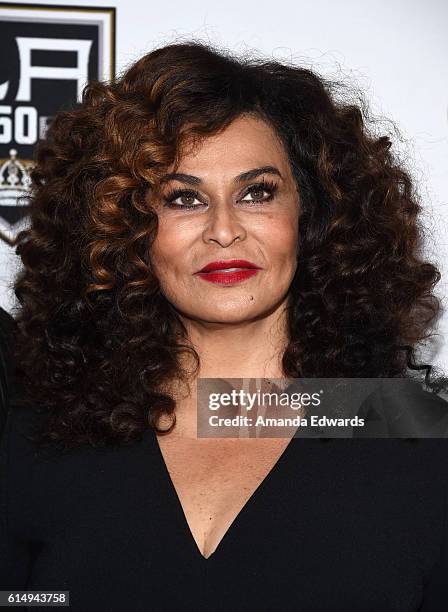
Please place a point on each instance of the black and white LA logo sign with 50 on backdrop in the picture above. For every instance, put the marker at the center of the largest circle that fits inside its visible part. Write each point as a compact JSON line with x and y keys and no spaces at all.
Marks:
{"x":48,"y":54}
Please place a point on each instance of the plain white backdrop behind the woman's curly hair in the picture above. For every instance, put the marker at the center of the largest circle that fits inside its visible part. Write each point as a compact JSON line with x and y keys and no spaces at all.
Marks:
{"x":396,"y":51}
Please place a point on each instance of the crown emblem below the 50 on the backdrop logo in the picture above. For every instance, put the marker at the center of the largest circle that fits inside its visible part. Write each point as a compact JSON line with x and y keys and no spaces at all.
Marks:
{"x":15,"y":184}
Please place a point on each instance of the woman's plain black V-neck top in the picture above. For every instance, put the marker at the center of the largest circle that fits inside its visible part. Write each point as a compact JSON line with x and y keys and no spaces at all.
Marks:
{"x":355,"y":525}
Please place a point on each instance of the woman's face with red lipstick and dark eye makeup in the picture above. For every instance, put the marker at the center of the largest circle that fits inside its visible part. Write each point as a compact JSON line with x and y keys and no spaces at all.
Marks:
{"x":217,"y":217}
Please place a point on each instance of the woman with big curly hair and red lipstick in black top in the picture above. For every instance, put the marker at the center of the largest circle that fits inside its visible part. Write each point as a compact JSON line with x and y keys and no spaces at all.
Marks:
{"x":195,"y":161}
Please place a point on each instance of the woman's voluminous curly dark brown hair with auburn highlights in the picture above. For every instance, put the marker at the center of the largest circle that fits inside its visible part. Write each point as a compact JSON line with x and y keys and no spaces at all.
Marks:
{"x":97,"y":340}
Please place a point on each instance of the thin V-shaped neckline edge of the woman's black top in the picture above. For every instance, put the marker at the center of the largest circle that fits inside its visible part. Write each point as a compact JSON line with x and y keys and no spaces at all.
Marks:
{"x":253,"y":499}
